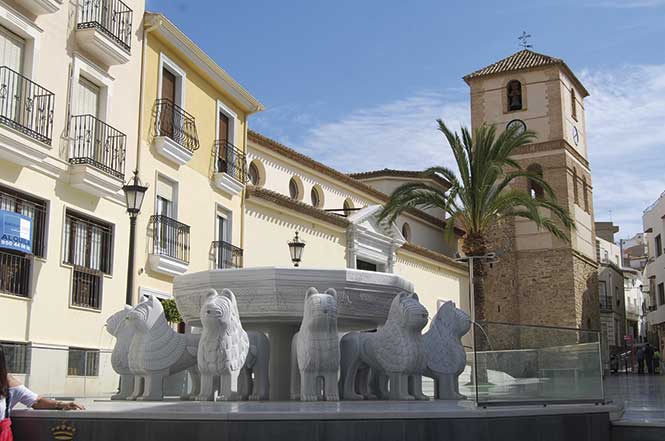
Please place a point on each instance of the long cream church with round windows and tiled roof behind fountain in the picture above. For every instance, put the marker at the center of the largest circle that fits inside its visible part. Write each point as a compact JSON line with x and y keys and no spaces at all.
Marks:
{"x":336,"y":216}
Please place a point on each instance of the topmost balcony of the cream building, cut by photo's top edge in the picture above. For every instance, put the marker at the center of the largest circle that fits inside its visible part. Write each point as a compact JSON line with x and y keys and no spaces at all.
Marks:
{"x":104,"y":29}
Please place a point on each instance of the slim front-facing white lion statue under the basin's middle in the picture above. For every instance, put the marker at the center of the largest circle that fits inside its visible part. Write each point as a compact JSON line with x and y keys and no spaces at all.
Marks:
{"x":315,"y":349}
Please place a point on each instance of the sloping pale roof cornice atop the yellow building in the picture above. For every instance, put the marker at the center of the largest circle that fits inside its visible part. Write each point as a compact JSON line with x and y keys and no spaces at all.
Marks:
{"x":161,"y":25}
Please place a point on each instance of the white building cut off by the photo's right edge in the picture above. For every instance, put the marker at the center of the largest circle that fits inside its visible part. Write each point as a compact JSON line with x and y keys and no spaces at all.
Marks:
{"x":654,"y":228}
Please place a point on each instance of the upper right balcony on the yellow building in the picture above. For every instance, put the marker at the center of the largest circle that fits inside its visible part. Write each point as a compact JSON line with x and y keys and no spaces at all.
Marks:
{"x":230,"y":168}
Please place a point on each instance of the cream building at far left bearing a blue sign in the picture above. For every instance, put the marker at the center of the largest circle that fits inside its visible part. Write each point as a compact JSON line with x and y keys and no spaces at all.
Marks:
{"x":68,"y":128}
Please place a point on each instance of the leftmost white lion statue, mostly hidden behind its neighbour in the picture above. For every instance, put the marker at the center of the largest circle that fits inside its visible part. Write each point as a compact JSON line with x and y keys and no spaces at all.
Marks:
{"x":118,"y":326}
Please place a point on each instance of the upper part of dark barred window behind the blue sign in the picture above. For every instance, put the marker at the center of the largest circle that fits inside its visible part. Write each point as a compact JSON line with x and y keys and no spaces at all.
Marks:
{"x":34,"y":208}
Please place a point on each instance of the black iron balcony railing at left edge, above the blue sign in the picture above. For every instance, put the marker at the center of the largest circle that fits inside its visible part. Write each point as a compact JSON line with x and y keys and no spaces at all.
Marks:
{"x":25,"y":105}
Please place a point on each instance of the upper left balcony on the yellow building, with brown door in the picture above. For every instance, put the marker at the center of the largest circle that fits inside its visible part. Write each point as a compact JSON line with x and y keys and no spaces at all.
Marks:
{"x":175,"y":132}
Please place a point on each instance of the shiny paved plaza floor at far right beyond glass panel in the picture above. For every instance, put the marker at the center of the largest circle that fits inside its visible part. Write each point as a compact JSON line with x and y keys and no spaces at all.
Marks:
{"x":643,"y":397}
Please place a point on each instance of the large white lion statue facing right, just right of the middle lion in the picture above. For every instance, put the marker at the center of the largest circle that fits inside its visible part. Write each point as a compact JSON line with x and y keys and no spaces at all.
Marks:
{"x":395,"y":352}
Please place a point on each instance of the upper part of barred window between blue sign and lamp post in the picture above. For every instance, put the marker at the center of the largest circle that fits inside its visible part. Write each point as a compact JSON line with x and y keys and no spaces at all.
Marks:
{"x":88,"y":243}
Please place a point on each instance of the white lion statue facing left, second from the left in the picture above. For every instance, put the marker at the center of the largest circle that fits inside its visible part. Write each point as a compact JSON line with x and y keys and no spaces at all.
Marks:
{"x":157,"y":351}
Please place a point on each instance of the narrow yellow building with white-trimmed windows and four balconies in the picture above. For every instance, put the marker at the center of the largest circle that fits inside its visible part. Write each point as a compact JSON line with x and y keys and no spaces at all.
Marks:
{"x":193,"y":125}
